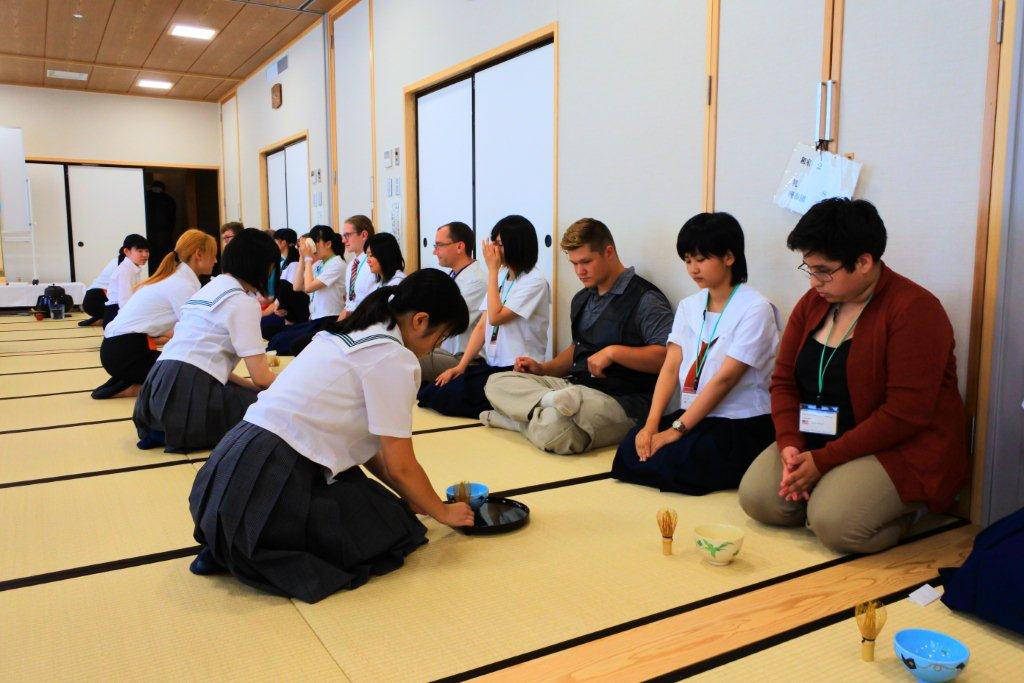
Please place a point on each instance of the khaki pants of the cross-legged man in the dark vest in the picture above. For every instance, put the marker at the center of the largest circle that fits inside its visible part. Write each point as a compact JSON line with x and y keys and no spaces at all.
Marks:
{"x":601,"y":421}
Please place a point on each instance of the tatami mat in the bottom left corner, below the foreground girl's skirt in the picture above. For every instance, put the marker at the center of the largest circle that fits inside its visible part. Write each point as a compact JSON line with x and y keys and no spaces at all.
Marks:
{"x":156,"y":623}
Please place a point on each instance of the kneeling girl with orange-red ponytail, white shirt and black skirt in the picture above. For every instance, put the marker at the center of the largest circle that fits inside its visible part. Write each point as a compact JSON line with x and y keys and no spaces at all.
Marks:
{"x":151,"y":315}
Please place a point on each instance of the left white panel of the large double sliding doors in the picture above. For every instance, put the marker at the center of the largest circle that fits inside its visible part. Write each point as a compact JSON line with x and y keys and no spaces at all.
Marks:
{"x":445,"y":154}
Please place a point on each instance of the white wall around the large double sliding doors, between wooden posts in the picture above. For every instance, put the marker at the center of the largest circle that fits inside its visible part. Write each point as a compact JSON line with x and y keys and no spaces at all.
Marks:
{"x":631,"y":110}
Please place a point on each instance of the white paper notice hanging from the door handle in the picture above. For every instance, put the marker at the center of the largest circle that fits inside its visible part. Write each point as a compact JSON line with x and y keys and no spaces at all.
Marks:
{"x":813,"y":176}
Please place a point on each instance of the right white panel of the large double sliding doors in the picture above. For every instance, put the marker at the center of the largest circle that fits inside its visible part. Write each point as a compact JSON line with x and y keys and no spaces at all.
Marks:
{"x":515,"y":129}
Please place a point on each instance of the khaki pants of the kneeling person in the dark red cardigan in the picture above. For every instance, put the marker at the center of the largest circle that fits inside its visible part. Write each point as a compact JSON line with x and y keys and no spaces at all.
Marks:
{"x":855,"y":508}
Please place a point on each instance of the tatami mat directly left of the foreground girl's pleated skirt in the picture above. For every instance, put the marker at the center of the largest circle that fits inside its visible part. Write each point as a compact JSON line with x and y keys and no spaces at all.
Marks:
{"x":72,"y":524}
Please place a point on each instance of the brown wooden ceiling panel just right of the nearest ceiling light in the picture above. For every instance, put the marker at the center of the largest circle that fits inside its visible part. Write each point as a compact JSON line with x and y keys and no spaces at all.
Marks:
{"x":253,"y":27}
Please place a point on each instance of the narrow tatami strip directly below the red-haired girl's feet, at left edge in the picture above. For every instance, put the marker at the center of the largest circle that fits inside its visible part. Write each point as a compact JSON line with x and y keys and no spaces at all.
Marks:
{"x":70,"y":409}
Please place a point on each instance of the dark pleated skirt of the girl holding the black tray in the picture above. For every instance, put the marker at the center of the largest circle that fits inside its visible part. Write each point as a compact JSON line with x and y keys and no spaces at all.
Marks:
{"x":267,"y":514}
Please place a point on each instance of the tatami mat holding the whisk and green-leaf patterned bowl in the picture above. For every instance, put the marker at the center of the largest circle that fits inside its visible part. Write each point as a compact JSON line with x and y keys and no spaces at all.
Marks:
{"x":590,"y":559}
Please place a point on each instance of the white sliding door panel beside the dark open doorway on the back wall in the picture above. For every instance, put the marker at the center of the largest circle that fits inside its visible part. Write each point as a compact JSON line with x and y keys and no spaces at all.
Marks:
{"x":107,"y":204}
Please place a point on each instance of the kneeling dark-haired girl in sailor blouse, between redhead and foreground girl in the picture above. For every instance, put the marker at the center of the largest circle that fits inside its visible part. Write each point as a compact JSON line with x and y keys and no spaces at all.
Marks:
{"x":192,"y":397}
